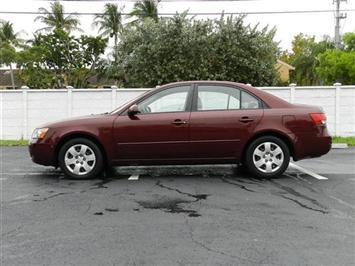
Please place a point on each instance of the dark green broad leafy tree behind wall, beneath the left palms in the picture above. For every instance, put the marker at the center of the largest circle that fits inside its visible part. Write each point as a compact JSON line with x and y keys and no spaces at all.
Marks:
{"x":58,"y":59}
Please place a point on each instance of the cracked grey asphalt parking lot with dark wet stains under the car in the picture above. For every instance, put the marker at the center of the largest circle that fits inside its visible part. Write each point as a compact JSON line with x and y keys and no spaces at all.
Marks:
{"x":183,"y":215}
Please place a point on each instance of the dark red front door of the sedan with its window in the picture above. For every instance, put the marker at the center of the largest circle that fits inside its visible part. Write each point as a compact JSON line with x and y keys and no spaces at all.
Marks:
{"x":159,"y":131}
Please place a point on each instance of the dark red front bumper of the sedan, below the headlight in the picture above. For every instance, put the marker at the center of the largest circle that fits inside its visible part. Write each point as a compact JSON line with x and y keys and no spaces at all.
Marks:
{"x":42,"y":153}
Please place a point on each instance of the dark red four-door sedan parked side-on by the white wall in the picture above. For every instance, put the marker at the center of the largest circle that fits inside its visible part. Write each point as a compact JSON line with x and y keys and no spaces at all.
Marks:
{"x":195,"y":122}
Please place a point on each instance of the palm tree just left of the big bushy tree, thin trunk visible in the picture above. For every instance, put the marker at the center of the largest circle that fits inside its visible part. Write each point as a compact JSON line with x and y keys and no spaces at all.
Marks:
{"x":110,"y":22}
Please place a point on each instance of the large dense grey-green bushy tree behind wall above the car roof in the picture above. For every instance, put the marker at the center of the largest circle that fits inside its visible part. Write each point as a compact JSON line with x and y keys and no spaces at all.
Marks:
{"x":184,"y":49}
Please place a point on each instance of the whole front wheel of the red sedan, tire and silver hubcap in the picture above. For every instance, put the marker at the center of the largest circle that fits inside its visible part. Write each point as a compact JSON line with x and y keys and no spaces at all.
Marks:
{"x":80,"y":158}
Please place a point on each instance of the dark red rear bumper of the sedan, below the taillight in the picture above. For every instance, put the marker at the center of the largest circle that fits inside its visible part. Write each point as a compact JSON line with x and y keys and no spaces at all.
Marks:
{"x":311,"y":145}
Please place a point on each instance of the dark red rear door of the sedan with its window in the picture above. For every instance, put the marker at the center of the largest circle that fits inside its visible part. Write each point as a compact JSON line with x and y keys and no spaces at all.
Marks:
{"x":222,"y":119}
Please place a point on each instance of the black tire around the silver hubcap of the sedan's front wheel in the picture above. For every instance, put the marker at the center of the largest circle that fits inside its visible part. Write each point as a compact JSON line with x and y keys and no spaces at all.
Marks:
{"x":97,"y":166}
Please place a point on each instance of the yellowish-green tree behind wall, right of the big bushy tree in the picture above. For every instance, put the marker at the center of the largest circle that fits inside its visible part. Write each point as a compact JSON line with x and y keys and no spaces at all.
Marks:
{"x":304,"y":57}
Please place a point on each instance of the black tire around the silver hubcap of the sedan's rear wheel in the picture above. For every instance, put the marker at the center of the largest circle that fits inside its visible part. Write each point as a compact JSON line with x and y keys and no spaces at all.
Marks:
{"x":253,"y":169}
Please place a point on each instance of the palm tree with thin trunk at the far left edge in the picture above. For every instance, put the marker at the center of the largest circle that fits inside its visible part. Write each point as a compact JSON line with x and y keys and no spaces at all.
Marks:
{"x":8,"y":41}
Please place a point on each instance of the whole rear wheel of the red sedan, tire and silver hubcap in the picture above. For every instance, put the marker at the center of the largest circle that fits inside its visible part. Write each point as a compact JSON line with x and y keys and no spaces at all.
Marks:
{"x":267,"y":157}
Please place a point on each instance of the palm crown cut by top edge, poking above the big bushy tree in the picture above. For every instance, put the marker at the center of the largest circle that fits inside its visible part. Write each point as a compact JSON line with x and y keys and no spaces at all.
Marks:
{"x":145,"y":9}
